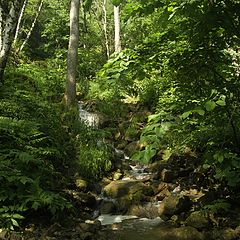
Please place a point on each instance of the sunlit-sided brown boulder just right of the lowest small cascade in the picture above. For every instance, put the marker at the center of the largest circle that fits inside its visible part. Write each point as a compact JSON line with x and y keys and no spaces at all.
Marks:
{"x":174,"y":204}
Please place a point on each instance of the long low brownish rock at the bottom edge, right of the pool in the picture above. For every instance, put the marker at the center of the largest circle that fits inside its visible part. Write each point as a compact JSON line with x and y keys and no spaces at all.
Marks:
{"x":181,"y":233}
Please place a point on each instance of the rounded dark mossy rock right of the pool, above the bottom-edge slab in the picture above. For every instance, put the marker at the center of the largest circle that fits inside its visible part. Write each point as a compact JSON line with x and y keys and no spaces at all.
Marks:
{"x":198,"y":220}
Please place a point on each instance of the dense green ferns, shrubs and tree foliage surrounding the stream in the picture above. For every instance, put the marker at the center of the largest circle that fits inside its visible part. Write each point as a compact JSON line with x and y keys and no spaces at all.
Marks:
{"x":180,"y":61}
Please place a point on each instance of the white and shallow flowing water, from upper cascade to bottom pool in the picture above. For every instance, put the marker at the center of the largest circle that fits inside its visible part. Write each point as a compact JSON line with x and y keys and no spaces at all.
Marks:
{"x":124,"y":227}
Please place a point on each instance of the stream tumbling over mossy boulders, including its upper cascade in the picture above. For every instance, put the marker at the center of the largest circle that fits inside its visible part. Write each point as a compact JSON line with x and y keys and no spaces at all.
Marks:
{"x":130,"y":206}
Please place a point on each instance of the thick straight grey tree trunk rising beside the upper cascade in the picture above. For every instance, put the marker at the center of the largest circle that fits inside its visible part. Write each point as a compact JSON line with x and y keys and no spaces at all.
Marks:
{"x":70,"y":94}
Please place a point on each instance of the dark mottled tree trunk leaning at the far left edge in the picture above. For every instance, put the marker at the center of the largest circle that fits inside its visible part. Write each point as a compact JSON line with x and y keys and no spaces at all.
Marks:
{"x":9,"y":12}
